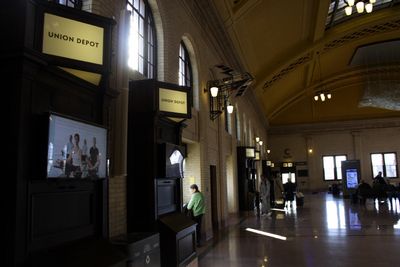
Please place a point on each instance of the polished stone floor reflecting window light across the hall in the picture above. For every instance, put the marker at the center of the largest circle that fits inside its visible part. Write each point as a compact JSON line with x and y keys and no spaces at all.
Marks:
{"x":326,"y":231}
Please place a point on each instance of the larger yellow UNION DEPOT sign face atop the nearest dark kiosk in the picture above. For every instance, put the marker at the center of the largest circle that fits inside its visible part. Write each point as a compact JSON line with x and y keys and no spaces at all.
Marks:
{"x":72,"y":39}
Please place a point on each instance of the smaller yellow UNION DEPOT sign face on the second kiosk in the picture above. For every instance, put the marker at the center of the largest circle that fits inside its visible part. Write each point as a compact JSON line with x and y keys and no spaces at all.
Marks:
{"x":173,"y":101}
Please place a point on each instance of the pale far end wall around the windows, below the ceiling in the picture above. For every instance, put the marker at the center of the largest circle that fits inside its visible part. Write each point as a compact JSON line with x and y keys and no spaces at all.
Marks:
{"x":357,"y":140}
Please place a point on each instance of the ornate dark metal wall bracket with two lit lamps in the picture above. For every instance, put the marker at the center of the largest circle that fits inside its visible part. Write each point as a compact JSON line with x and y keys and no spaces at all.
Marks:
{"x":220,"y":90}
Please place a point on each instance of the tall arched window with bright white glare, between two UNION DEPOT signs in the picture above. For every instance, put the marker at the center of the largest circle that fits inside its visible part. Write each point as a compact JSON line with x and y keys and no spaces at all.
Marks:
{"x":142,"y":38}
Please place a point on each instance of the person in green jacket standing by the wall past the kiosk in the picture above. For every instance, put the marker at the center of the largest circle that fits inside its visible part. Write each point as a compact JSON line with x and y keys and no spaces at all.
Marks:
{"x":198,"y":207}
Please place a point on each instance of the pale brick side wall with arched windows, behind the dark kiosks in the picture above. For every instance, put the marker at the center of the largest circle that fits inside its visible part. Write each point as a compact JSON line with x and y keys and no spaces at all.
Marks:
{"x":208,"y":142}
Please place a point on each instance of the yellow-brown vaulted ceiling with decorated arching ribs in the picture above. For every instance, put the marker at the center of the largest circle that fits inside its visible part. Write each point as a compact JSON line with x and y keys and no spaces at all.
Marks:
{"x":285,"y":46}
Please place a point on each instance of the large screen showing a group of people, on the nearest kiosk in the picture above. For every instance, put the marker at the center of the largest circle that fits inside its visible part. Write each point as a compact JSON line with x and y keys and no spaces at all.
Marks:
{"x":75,"y":149}
